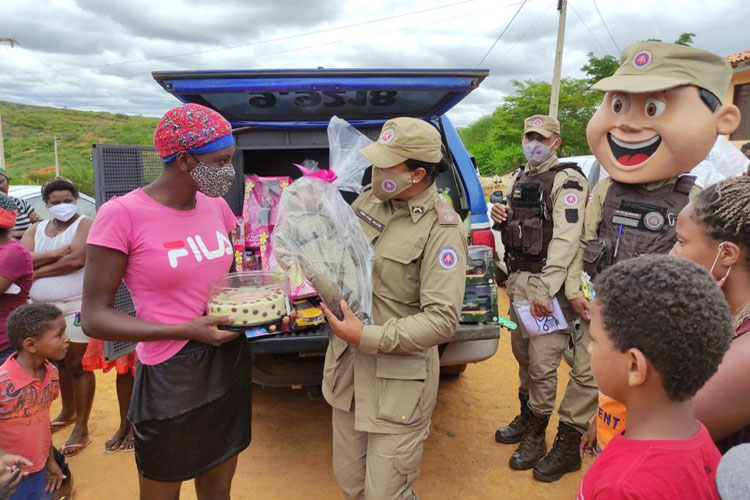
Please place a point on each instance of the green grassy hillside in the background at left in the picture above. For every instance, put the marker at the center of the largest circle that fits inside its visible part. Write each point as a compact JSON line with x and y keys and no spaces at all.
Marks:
{"x":29,"y":148}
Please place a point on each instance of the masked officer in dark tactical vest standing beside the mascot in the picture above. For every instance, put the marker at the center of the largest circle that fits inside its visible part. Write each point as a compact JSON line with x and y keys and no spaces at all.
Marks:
{"x":541,"y":226}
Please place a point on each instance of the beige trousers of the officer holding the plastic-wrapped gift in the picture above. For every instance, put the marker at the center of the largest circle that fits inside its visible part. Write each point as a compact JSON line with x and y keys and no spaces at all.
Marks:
{"x":375,"y":466}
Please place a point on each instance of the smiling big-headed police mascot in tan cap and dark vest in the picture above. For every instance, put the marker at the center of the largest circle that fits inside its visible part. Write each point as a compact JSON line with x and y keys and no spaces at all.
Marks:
{"x":661,"y":114}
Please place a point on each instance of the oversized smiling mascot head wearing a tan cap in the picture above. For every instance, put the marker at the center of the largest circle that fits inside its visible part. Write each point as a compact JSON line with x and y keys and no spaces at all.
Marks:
{"x":662,"y":112}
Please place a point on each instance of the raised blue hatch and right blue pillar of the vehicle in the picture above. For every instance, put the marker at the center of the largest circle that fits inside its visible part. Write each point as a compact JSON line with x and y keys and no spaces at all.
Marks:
{"x":430,"y":94}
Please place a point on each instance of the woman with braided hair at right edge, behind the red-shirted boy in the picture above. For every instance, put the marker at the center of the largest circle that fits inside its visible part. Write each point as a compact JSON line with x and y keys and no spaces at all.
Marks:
{"x":714,"y":232}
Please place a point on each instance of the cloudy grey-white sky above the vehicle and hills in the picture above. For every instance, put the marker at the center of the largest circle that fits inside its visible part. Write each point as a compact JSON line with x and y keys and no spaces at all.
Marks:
{"x":99,"y":54}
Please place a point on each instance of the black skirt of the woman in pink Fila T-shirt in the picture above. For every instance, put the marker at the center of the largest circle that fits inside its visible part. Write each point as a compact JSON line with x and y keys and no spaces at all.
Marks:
{"x":192,"y":412}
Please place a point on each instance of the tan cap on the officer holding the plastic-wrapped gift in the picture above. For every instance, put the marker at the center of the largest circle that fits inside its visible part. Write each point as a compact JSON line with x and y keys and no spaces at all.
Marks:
{"x":402,"y":139}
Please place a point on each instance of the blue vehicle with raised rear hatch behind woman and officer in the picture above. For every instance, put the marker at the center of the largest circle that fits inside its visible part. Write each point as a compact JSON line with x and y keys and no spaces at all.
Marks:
{"x":280,"y":118}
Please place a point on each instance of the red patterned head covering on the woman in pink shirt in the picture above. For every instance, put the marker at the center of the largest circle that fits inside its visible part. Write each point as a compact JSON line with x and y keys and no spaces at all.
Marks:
{"x":191,"y":127}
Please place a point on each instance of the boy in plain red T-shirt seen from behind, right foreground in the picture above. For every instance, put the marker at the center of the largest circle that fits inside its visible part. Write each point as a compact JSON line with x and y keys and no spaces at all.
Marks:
{"x":659,"y":329}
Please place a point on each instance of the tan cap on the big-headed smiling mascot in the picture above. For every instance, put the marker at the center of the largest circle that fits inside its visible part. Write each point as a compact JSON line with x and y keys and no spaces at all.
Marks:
{"x":654,"y":66}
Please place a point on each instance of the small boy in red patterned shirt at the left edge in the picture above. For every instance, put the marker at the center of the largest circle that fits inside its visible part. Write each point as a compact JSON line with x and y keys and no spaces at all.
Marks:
{"x":28,"y":385}
